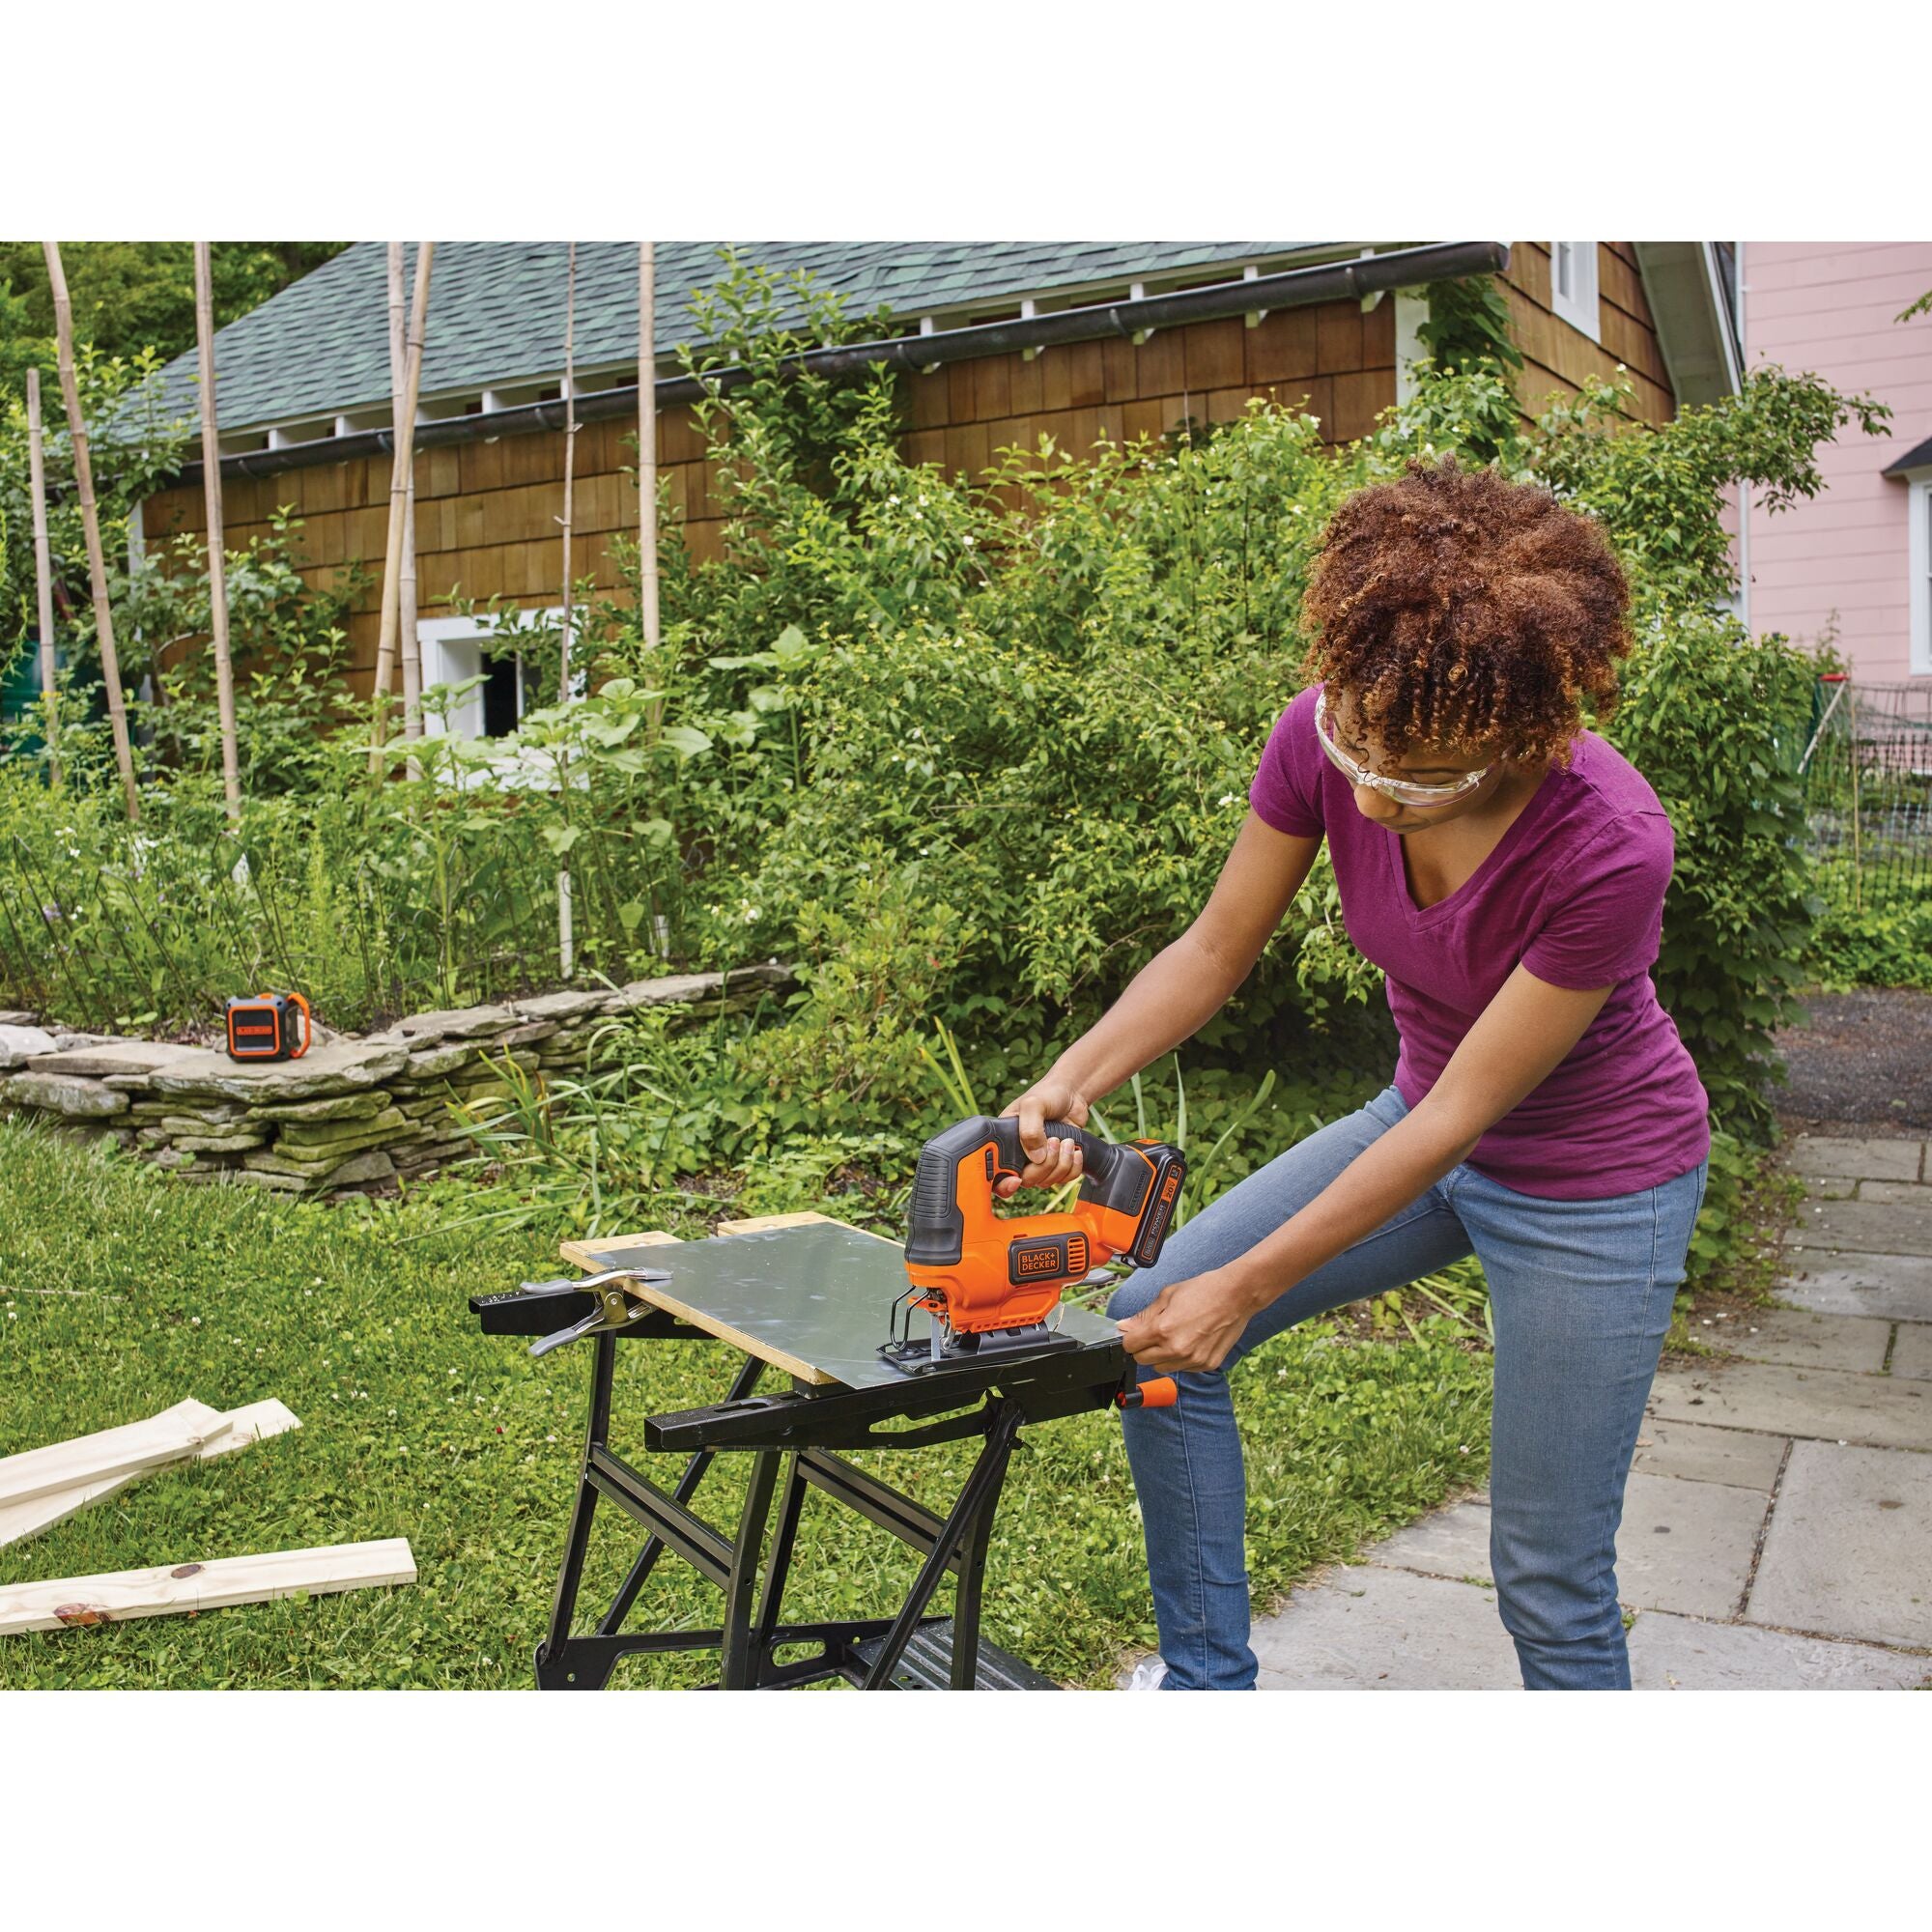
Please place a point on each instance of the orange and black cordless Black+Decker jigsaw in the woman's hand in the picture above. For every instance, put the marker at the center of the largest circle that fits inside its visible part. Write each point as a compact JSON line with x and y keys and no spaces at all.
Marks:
{"x":992,"y":1282}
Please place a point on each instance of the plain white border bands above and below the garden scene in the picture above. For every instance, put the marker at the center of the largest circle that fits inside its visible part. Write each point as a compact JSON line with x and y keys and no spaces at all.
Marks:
{"x":994,"y":121}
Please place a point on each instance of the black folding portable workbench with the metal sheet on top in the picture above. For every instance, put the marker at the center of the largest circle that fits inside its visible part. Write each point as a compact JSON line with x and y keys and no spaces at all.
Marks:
{"x":805,"y":1301}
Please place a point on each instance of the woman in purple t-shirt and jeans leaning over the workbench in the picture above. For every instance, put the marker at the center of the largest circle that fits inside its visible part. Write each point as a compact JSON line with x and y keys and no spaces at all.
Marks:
{"x":1506,"y":868}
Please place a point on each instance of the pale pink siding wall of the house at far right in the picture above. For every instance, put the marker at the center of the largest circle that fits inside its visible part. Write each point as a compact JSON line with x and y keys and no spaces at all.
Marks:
{"x":1829,"y":308}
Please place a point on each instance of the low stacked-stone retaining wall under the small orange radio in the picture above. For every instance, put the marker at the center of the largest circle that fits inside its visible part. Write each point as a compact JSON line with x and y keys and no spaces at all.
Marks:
{"x":353,"y":1112}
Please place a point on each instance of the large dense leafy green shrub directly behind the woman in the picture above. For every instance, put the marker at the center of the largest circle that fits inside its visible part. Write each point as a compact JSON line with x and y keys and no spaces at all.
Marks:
{"x":1042,"y":693}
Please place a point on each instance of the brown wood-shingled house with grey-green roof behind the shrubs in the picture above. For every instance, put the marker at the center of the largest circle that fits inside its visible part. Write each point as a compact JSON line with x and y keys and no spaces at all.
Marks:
{"x":998,"y":345}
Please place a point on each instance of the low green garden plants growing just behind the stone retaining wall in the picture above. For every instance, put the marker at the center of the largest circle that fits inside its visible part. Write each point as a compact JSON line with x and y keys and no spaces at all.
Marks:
{"x":374,"y":901}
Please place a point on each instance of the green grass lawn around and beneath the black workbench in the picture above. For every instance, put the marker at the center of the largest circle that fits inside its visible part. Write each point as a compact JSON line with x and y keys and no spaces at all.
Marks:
{"x":123,"y":1293}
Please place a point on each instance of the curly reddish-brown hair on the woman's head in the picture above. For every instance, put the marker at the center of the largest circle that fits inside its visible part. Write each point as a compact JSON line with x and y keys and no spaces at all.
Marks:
{"x":1469,"y":613}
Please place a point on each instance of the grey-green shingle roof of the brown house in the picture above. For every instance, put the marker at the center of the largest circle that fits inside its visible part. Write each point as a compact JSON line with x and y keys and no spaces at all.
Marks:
{"x":497,"y":308}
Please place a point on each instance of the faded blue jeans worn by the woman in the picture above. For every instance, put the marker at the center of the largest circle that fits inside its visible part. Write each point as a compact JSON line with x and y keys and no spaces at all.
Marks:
{"x":1581,"y":1295}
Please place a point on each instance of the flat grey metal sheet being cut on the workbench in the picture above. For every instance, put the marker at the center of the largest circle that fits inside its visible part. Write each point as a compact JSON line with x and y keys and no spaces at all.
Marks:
{"x":822,"y":1295}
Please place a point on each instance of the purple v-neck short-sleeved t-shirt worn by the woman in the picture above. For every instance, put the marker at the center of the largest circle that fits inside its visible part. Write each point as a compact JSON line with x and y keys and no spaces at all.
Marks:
{"x":1576,"y":894}
